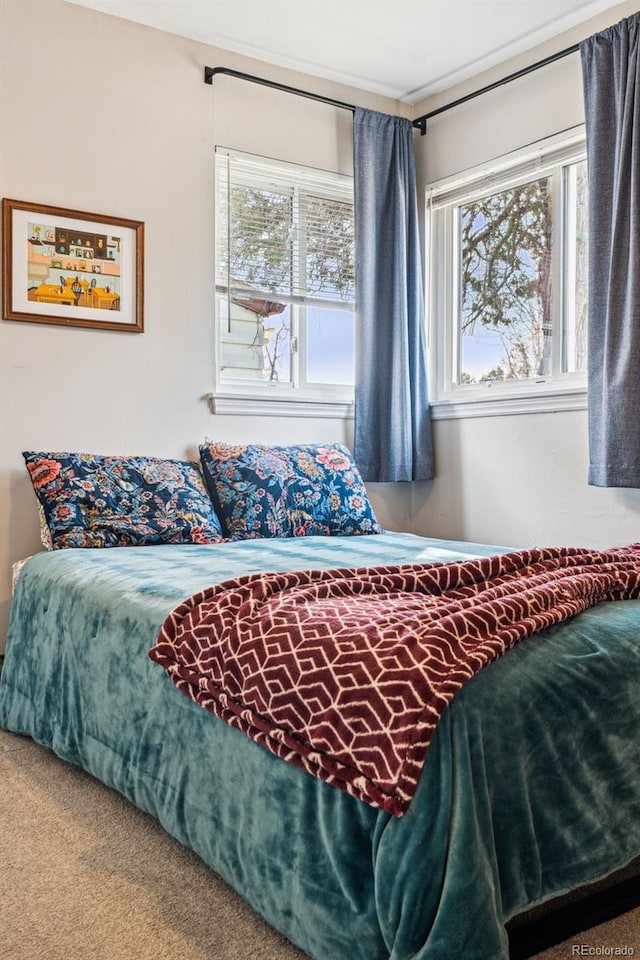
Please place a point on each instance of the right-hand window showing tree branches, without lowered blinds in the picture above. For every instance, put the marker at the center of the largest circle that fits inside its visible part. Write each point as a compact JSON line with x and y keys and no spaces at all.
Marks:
{"x":507,"y":250}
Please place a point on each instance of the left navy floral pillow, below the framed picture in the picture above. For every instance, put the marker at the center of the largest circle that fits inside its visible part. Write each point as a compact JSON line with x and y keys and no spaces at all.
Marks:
{"x":97,"y":501}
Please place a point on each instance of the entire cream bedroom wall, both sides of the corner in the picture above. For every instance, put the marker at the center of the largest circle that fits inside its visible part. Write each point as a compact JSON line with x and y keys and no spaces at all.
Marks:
{"x":107,"y":116}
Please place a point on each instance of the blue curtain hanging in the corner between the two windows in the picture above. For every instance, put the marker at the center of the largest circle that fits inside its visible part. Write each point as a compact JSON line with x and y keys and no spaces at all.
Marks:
{"x":392,"y":421}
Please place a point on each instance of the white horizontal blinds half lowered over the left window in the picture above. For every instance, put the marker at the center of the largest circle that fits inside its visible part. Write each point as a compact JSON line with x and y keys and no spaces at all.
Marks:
{"x":285,"y":232}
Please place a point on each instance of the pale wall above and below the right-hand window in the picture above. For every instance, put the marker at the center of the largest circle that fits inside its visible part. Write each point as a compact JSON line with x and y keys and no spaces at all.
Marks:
{"x":516,"y":480}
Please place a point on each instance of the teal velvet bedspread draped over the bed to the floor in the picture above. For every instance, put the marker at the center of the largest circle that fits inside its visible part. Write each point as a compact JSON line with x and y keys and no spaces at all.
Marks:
{"x":531,"y":785}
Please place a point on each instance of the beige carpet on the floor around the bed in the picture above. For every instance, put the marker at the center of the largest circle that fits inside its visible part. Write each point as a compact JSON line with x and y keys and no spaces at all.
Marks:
{"x":86,"y":876}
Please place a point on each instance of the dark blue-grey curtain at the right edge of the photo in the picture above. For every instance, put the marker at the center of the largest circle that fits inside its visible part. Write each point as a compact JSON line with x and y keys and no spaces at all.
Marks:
{"x":611,"y":75}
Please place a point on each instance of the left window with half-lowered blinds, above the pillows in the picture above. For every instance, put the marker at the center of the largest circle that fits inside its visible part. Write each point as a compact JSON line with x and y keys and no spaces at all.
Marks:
{"x":284,"y":281}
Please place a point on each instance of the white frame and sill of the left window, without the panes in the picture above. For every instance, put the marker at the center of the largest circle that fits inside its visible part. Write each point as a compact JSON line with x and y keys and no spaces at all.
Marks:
{"x":299,"y":396}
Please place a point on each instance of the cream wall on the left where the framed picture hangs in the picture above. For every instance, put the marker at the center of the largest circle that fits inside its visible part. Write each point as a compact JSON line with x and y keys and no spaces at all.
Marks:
{"x":103,"y":115}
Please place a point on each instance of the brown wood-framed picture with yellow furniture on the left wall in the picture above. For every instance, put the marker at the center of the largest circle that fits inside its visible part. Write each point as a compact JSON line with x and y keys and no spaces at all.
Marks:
{"x":40,"y":287}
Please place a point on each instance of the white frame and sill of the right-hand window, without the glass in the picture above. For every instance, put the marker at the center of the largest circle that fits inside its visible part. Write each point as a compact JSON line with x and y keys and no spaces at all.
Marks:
{"x":557,"y":391}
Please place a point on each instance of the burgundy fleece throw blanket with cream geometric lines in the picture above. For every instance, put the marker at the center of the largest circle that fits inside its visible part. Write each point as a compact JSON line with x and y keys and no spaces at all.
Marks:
{"x":346,"y":672}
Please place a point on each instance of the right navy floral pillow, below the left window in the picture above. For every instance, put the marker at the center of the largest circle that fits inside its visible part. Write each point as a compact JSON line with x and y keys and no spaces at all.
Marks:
{"x":296,"y":491}
